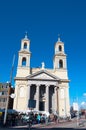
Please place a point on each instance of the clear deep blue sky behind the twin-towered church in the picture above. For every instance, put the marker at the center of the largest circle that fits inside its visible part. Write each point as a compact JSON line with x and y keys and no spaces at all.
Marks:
{"x":44,"y":20}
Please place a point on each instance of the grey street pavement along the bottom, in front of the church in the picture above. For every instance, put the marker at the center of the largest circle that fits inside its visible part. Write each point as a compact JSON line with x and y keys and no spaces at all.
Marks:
{"x":73,"y":124}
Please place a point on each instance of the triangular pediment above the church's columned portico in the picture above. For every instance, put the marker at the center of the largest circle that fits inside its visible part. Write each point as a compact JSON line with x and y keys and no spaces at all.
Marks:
{"x":43,"y":75}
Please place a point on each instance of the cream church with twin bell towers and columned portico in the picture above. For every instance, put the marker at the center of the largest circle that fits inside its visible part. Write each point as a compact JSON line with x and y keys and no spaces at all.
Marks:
{"x":47,"y":89}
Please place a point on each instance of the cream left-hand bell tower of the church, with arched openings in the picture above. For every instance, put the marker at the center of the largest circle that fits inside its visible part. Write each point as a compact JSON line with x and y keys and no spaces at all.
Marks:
{"x":23,"y":68}
